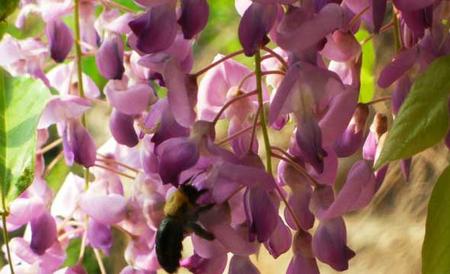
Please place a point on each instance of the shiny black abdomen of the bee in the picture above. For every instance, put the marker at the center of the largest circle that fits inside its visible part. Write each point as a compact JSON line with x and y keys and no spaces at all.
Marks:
{"x":169,"y":244}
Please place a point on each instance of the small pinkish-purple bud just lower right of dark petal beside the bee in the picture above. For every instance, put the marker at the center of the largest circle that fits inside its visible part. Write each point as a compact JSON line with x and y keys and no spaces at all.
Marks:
{"x":280,"y":240}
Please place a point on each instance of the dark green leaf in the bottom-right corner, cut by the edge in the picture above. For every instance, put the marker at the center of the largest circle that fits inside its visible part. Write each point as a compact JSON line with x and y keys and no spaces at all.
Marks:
{"x":436,"y":246}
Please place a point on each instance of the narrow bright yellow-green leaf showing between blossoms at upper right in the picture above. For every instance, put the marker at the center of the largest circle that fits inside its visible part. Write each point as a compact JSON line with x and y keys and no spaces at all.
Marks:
{"x":367,"y":90}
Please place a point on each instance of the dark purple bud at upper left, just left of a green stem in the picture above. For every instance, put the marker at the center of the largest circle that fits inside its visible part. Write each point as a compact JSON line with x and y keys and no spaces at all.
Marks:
{"x":60,"y":39}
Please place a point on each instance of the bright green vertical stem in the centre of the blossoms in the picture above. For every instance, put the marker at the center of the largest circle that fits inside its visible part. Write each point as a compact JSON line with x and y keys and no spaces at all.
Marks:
{"x":262,"y":117}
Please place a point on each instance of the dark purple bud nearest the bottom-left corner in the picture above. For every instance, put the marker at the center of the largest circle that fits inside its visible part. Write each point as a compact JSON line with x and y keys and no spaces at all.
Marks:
{"x":43,"y":233}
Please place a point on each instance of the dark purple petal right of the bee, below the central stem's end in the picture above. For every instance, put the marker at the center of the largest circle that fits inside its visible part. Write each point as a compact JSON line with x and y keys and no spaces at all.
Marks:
{"x":262,"y":215}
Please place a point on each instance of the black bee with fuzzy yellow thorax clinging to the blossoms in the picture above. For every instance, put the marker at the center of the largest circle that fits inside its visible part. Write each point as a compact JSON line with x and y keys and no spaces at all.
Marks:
{"x":181,"y":214}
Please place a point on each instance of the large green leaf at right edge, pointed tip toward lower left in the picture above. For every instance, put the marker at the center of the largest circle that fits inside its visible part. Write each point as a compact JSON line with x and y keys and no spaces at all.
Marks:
{"x":423,"y":118}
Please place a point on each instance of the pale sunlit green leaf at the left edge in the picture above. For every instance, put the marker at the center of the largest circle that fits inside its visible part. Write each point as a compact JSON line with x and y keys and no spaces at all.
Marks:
{"x":22,"y":100}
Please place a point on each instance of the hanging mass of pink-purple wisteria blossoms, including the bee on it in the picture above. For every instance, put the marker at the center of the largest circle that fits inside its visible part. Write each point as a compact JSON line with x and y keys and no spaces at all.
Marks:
{"x":306,"y":82}
